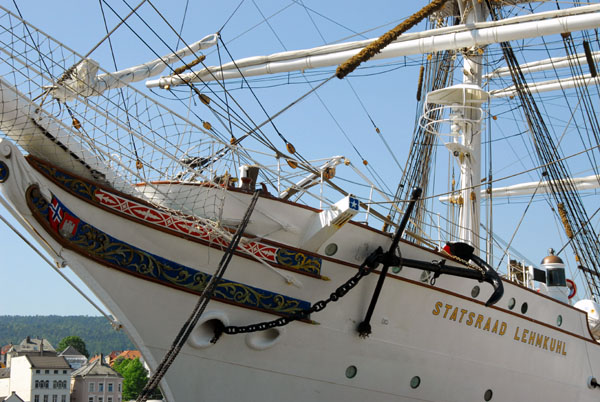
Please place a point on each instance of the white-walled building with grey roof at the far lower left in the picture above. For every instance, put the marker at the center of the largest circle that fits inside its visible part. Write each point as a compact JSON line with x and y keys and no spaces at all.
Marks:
{"x":40,"y":378}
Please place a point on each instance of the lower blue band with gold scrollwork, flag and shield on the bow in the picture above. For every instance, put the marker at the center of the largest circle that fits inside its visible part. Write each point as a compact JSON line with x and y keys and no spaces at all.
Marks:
{"x":100,"y":246}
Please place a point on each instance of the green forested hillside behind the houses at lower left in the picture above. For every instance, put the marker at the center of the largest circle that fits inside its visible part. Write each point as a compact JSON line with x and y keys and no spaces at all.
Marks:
{"x":96,"y":332}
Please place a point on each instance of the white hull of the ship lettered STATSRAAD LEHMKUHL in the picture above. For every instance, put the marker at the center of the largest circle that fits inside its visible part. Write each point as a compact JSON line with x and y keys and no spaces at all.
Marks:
{"x":458,"y":348}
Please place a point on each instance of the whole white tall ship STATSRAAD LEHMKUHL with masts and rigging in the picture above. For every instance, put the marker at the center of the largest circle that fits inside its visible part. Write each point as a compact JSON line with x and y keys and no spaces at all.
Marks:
{"x":248,"y":257}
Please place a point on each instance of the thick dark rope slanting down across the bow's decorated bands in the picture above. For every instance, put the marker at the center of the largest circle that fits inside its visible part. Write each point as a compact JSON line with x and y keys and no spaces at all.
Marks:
{"x":205,"y":297}
